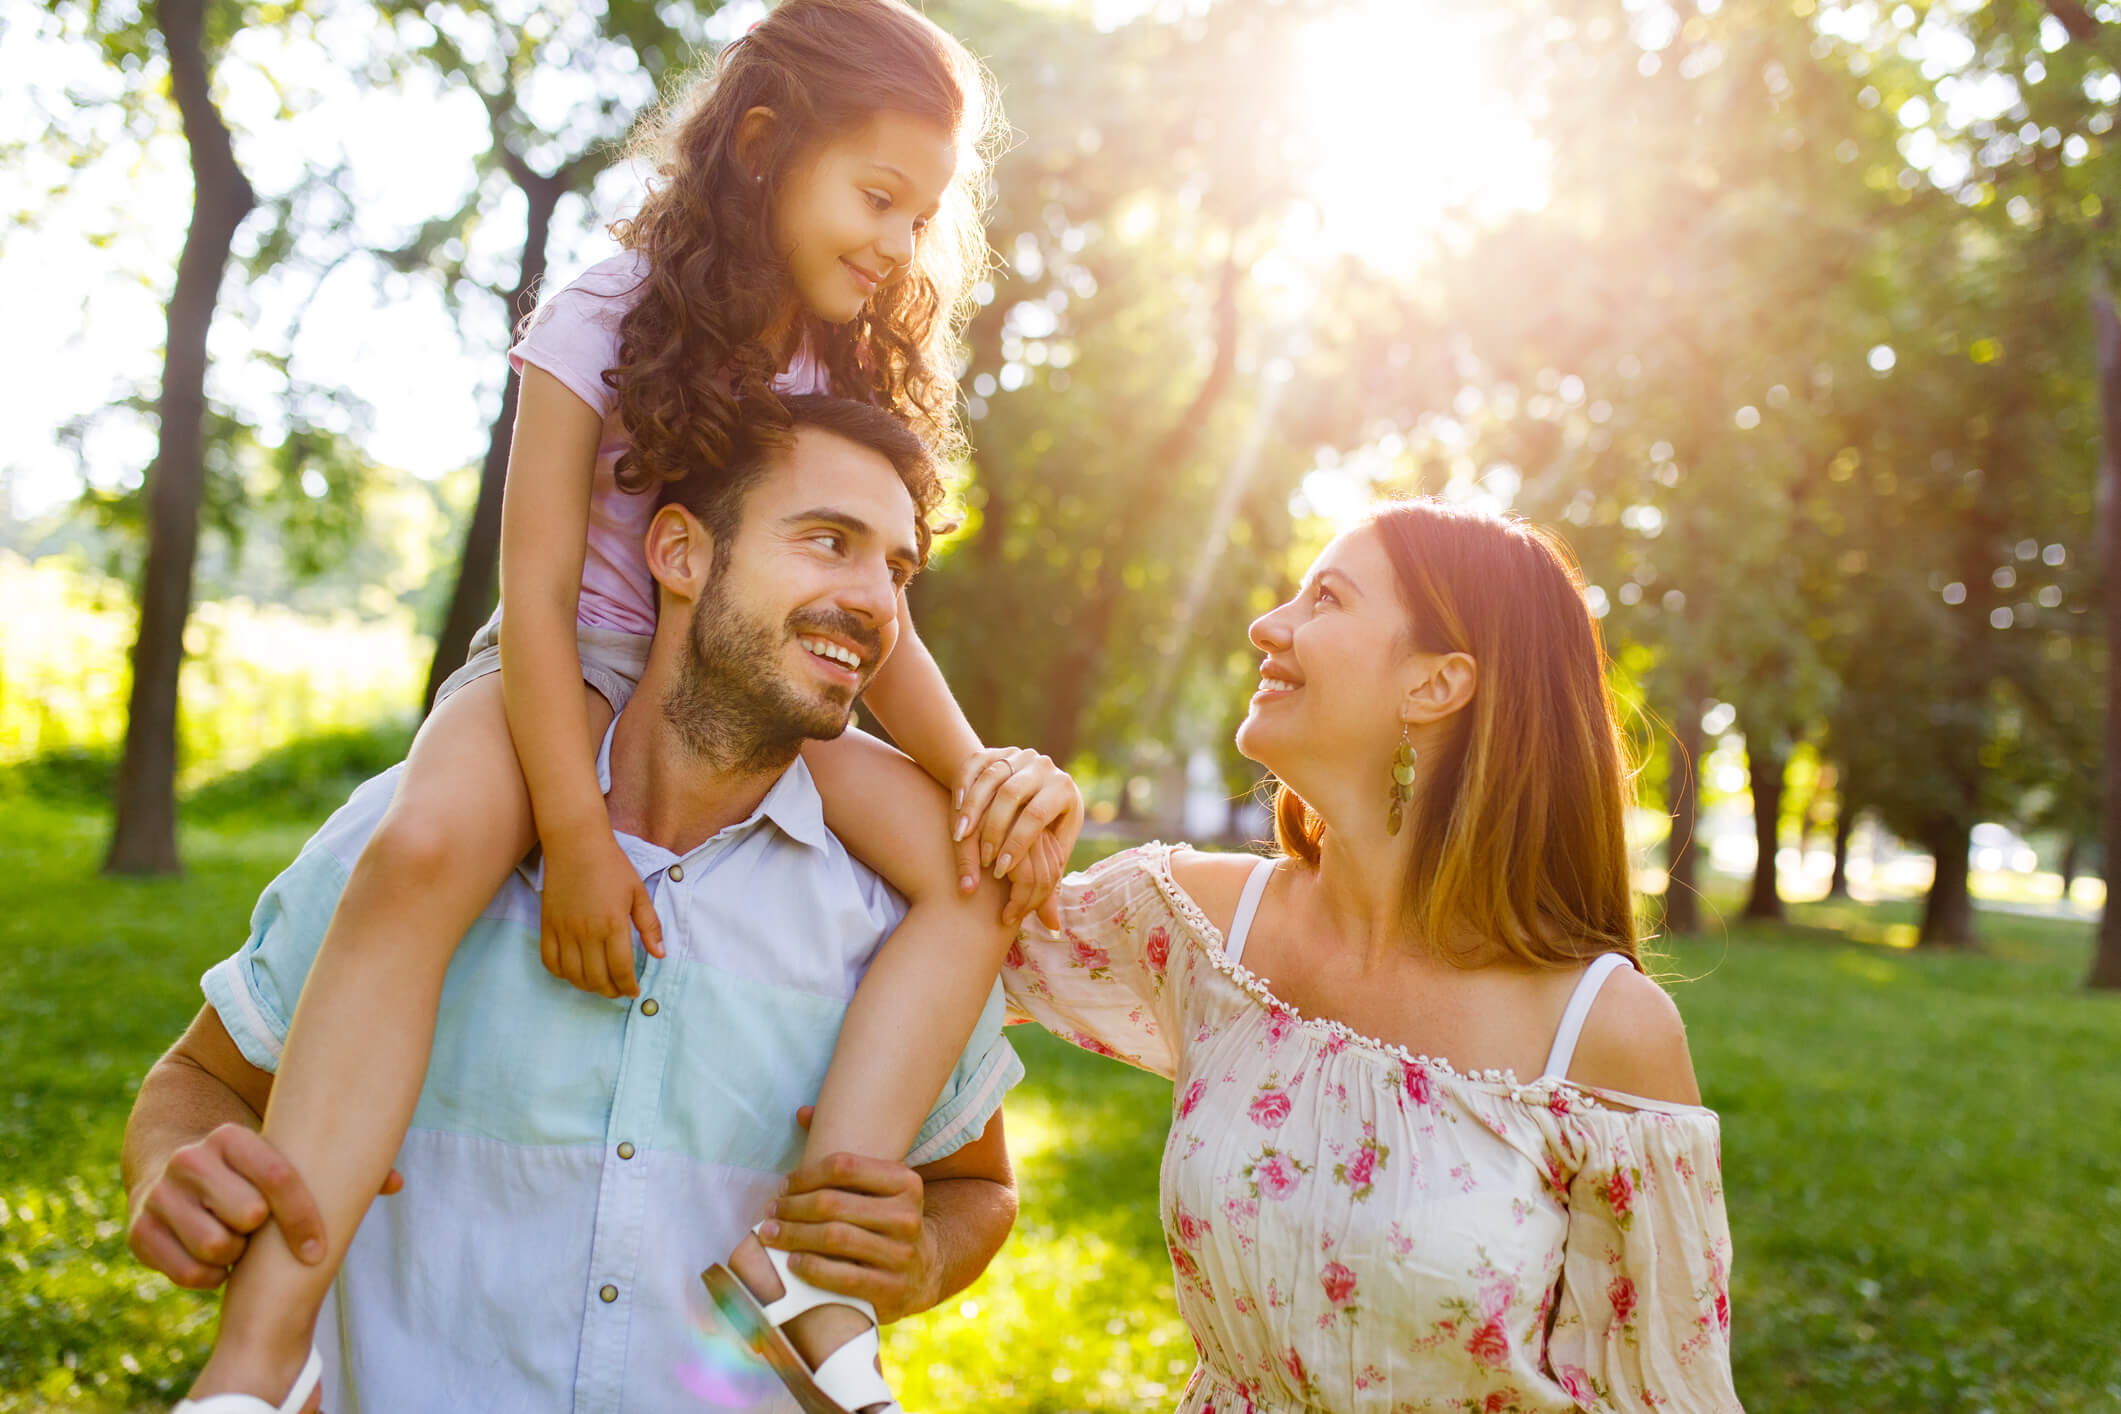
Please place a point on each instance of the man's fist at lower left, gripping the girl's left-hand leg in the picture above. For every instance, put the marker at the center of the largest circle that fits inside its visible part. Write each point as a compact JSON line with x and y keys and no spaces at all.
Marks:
{"x":194,"y":1222}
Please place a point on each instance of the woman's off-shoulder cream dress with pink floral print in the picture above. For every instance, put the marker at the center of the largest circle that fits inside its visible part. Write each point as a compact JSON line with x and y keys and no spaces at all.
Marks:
{"x":1371,"y":1233}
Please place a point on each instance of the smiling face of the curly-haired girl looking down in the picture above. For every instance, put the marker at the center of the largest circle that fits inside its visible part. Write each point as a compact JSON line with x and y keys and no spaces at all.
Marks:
{"x":849,"y":217}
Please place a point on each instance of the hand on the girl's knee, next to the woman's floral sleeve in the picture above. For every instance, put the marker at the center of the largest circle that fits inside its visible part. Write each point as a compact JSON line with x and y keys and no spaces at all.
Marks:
{"x":1017,"y":815}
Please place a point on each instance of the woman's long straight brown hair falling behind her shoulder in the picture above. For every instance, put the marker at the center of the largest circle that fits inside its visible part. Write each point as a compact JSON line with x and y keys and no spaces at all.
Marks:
{"x":1520,"y":819}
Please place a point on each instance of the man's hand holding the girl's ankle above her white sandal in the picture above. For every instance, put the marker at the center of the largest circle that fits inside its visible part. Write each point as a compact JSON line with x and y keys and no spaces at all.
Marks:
{"x":856,"y":1226}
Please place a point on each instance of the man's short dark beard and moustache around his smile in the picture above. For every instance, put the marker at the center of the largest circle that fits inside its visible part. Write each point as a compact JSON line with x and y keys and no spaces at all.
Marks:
{"x":733,"y":705}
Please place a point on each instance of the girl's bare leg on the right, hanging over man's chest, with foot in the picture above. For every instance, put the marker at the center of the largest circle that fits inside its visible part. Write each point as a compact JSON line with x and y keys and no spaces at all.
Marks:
{"x":919,"y":1002}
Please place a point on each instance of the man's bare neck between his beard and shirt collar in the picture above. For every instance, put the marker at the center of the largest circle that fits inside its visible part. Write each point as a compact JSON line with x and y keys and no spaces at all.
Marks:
{"x":667,"y":794}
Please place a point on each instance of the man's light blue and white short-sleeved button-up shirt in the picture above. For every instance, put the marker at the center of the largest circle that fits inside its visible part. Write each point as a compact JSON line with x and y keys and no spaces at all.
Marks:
{"x":576,"y":1161}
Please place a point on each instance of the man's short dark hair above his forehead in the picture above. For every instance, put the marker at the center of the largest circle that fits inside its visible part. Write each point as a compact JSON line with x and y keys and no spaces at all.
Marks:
{"x":716,"y":495}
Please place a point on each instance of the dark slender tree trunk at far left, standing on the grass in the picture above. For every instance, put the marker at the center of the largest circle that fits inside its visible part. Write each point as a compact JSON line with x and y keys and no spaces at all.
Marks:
{"x":143,"y":838}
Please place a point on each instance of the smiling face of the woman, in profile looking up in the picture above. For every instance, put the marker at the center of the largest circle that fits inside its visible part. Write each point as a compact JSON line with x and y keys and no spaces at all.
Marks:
{"x":1335,"y":669}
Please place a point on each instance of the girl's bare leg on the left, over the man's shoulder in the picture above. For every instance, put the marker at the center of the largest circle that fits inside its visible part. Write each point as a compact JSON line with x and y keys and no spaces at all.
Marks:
{"x":366,"y":1023}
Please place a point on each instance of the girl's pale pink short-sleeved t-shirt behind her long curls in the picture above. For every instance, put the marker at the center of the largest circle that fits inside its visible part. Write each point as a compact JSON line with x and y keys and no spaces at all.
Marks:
{"x":576,"y":338}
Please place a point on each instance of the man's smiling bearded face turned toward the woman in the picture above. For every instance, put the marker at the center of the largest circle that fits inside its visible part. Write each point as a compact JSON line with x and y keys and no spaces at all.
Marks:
{"x":803,"y":605}
